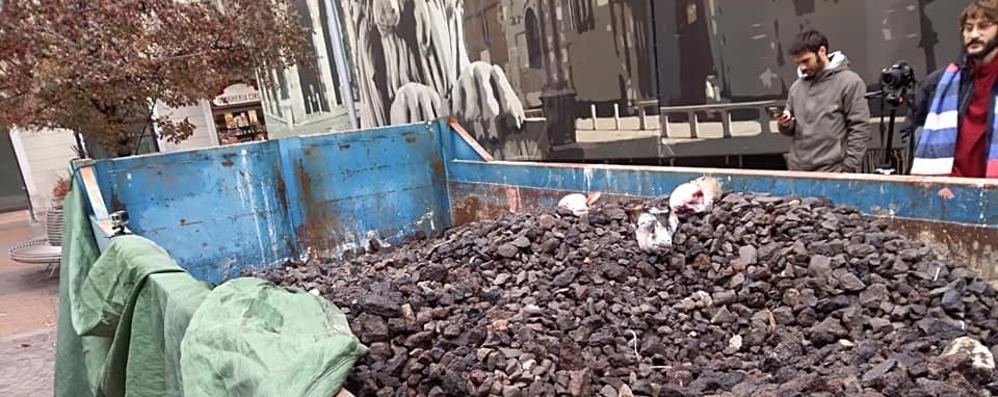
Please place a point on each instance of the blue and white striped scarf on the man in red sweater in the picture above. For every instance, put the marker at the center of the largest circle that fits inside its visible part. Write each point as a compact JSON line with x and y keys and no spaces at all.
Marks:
{"x":937,"y":146}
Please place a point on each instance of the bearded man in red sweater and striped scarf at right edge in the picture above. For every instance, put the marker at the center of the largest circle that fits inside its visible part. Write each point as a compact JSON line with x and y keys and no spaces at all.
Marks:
{"x":956,"y":105}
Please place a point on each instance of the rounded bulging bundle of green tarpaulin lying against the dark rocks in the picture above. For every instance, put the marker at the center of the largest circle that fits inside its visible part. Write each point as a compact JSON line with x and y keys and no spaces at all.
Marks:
{"x":252,"y":338}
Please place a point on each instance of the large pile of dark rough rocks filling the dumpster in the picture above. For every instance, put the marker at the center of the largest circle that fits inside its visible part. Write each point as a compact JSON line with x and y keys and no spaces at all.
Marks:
{"x":761,"y":296}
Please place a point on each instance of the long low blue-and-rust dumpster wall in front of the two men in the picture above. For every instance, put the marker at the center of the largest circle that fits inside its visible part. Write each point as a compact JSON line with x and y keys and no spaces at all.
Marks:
{"x":964,"y":228}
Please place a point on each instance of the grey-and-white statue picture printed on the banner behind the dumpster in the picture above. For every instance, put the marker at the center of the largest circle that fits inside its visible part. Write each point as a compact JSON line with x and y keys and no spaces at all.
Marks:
{"x":412,"y":66}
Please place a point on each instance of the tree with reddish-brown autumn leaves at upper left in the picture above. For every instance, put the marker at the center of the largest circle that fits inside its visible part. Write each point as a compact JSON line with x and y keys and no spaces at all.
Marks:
{"x":98,"y":67}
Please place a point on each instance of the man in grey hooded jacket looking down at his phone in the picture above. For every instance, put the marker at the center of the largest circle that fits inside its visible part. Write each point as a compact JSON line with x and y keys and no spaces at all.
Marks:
{"x":827,"y":114}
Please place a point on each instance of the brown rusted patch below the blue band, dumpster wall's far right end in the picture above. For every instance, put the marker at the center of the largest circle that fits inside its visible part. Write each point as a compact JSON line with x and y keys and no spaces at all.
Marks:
{"x":973,"y":246}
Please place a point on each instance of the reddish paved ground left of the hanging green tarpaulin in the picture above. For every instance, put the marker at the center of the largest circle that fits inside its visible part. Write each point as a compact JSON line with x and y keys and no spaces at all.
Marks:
{"x":28,"y":301}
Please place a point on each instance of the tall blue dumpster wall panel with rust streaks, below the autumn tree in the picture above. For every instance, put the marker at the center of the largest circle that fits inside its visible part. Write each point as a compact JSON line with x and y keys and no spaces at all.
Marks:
{"x":220,"y":210}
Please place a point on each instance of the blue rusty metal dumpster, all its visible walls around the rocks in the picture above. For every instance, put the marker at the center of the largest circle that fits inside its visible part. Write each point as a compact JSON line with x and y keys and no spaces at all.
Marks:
{"x":220,"y":210}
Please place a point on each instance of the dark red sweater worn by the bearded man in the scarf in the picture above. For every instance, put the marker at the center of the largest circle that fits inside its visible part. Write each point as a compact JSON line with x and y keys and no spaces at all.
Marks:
{"x":970,"y":141}
